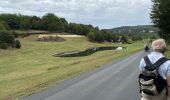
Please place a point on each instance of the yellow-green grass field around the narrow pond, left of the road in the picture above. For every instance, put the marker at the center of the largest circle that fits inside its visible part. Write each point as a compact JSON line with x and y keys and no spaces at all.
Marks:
{"x":32,"y":68}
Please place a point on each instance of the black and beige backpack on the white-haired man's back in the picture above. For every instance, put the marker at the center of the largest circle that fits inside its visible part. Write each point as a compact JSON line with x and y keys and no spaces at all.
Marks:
{"x":150,"y":81}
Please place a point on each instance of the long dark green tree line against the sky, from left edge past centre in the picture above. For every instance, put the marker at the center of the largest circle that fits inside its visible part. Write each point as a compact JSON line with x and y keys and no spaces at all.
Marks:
{"x":53,"y":23}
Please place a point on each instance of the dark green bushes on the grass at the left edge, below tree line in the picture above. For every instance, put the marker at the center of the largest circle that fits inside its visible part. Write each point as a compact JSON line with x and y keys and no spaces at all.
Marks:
{"x":7,"y":39}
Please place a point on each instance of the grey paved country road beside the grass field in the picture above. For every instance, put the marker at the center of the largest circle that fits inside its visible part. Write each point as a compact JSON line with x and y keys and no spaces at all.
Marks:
{"x":114,"y":81}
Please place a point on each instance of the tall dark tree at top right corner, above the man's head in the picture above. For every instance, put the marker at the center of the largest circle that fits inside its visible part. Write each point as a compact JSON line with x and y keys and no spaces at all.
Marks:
{"x":160,"y":16}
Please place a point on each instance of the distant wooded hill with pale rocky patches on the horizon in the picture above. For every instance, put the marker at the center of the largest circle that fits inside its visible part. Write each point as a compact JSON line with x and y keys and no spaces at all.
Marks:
{"x":134,"y":29}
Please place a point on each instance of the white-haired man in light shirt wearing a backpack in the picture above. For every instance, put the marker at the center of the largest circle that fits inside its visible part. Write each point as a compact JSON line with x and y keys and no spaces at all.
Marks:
{"x":152,"y":88}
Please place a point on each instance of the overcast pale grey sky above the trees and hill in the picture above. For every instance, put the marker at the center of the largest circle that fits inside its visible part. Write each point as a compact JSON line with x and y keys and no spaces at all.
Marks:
{"x":102,"y":13}
